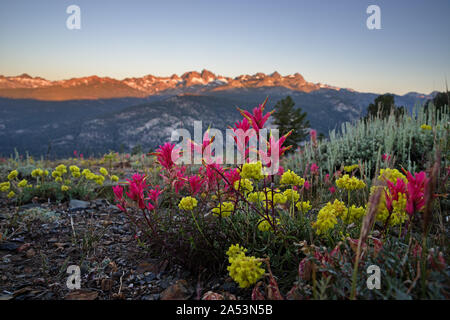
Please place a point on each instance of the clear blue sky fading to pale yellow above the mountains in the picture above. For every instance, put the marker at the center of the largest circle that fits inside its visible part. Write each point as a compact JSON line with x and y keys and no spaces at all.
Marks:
{"x":326,"y":41}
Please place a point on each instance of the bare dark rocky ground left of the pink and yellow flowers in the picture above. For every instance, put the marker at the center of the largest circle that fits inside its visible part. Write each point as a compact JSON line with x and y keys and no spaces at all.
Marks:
{"x":40,"y":241}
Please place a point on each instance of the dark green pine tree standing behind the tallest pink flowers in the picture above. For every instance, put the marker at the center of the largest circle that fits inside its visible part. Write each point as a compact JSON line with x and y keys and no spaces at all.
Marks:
{"x":286,"y":118}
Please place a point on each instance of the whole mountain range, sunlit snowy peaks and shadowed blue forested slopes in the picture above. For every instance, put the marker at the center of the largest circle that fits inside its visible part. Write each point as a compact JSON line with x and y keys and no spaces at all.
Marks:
{"x":96,"y":114}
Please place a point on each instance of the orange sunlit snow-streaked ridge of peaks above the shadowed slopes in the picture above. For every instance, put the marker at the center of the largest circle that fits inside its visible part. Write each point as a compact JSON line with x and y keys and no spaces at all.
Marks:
{"x":94,"y":87}
